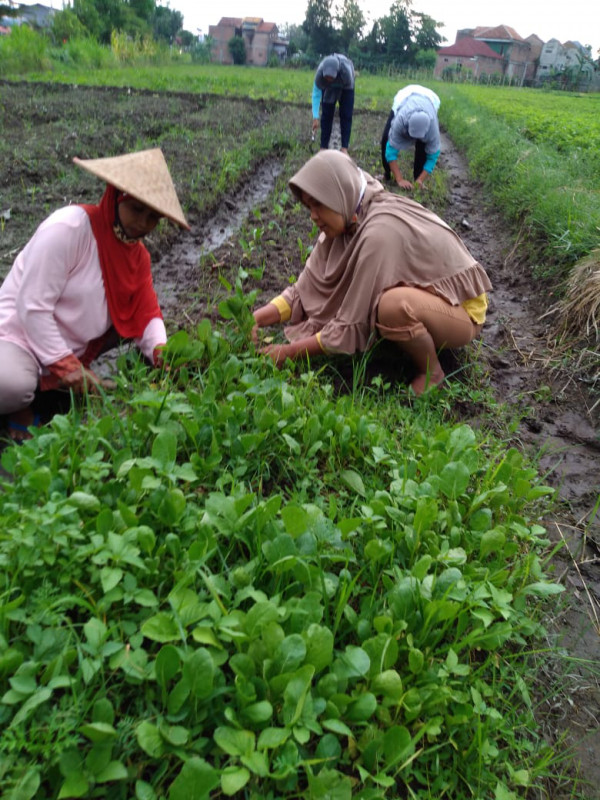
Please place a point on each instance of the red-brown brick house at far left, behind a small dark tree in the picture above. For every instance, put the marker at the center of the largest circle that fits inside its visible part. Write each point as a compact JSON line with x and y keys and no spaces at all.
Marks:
{"x":261,"y":39}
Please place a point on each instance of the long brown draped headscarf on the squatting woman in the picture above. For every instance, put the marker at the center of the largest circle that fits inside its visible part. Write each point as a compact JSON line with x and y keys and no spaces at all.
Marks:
{"x":393,"y":242}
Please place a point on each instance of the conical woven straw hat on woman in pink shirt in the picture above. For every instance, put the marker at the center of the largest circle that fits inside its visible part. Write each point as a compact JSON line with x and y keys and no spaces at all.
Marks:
{"x":144,"y":175}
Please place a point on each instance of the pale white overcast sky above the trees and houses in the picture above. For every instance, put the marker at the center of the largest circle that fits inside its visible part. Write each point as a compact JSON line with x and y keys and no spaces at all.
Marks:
{"x":576,"y":20}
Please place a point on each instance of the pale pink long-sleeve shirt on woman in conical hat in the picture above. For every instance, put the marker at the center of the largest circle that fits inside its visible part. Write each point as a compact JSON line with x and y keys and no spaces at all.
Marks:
{"x":52,"y":302}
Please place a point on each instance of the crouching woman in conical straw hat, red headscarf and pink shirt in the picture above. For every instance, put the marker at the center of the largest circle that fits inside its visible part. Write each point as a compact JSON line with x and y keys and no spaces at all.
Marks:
{"x":82,"y":279}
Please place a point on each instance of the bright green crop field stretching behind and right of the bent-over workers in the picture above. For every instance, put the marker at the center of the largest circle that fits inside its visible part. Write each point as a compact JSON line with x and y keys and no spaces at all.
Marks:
{"x":536,"y":152}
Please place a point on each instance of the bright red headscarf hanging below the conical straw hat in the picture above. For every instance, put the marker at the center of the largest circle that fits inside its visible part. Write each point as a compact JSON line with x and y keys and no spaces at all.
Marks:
{"x":130,"y":294}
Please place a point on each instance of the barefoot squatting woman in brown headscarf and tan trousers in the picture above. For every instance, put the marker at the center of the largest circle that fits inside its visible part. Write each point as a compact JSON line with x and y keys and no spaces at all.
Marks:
{"x":383,"y":265}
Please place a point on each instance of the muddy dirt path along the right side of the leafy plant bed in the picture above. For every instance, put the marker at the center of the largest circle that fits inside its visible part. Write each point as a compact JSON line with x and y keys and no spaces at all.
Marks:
{"x":556,"y":423}
